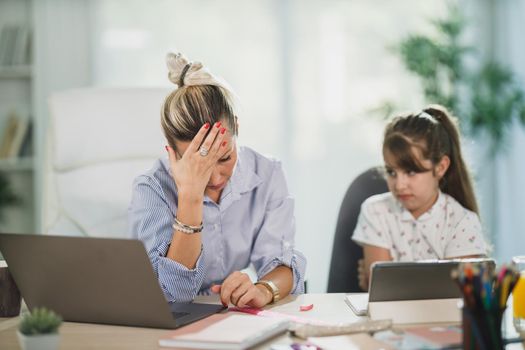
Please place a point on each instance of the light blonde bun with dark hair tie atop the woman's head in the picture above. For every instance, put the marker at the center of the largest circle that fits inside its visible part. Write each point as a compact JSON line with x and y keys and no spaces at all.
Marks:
{"x":183,"y":72}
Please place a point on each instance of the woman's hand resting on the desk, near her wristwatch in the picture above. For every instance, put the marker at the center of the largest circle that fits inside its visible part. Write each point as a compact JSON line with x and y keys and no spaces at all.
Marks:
{"x":240,"y":291}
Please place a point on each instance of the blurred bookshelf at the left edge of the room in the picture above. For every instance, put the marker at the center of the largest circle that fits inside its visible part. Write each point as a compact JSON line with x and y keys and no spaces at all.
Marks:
{"x":16,"y":112}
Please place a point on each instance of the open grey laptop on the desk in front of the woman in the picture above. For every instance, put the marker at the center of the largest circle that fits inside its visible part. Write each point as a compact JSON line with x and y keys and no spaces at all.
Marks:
{"x":94,"y":280}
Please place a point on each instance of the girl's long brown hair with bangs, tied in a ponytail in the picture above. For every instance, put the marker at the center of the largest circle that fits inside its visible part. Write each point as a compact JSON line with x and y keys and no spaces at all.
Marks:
{"x":434,"y":132}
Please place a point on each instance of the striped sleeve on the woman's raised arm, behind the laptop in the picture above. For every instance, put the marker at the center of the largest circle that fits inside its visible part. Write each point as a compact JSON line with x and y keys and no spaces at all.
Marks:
{"x":150,"y":220}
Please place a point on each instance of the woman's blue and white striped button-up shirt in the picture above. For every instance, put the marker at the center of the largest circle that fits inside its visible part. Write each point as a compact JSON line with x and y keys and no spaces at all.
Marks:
{"x":253,"y":223}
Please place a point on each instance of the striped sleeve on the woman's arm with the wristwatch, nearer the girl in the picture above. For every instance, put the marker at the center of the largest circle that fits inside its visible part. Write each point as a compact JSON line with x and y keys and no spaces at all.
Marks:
{"x":274,"y":245}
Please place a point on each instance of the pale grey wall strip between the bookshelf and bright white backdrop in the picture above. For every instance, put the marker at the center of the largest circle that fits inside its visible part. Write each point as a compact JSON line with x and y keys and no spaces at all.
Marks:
{"x":61,"y":61}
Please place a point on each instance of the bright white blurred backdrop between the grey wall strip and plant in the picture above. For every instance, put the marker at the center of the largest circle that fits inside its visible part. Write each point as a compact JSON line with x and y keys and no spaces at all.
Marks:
{"x":308,"y":74}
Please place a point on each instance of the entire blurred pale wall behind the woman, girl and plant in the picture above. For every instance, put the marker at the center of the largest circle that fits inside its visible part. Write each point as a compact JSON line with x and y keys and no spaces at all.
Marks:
{"x":308,"y":74}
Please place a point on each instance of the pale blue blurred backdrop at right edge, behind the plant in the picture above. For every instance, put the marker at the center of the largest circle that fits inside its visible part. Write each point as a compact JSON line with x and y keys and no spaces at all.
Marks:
{"x":501,"y":180}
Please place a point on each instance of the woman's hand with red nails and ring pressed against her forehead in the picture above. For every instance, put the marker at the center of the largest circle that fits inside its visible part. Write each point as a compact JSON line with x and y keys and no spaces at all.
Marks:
{"x":191,"y":171}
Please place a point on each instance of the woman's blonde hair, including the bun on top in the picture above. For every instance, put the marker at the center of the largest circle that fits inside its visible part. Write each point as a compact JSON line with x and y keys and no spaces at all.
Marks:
{"x":200,"y":97}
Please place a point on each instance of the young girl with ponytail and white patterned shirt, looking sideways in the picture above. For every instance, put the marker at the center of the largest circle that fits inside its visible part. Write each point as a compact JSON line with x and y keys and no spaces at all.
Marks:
{"x":430,"y":211}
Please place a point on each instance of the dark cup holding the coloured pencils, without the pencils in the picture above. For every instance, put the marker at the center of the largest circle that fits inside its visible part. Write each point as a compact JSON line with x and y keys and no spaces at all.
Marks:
{"x":482,"y":329}
